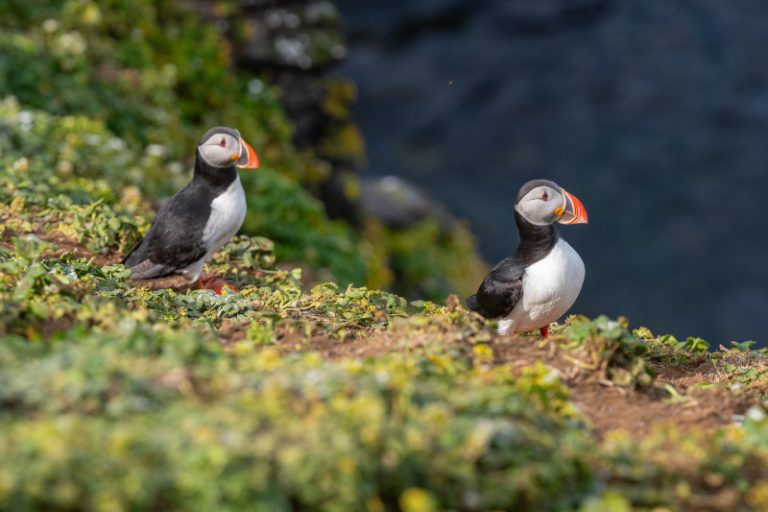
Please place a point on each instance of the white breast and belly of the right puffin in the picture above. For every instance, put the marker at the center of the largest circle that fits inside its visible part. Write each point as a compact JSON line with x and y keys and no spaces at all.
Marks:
{"x":550,"y":287}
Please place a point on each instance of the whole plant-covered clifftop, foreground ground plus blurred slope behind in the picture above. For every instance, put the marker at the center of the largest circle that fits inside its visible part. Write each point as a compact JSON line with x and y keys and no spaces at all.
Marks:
{"x":289,"y":394}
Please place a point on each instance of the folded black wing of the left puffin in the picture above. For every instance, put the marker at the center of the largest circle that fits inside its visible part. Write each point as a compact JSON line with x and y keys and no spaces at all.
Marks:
{"x":174,"y":241}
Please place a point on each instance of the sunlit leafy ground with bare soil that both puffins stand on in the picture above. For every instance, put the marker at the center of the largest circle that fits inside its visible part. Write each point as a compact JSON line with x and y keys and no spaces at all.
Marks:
{"x":120,"y":395}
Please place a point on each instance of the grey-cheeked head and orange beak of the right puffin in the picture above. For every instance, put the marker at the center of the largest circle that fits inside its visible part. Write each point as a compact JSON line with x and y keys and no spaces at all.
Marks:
{"x":542,"y":202}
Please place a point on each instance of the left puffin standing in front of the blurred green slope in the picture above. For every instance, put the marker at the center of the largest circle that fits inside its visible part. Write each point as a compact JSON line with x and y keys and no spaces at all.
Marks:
{"x":203,"y":216}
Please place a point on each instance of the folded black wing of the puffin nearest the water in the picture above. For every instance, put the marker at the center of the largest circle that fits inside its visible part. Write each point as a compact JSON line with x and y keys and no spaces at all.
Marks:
{"x":500,"y":292}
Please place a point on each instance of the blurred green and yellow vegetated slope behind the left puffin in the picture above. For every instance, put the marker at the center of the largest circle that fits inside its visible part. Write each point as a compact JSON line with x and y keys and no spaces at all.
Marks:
{"x":92,"y":96}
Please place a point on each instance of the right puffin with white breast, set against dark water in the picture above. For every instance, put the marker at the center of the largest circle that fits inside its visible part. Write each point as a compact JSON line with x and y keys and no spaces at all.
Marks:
{"x":542,"y":279}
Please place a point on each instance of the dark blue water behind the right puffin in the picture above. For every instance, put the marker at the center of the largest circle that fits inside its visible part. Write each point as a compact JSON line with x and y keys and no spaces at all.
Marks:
{"x":653,"y":112}
